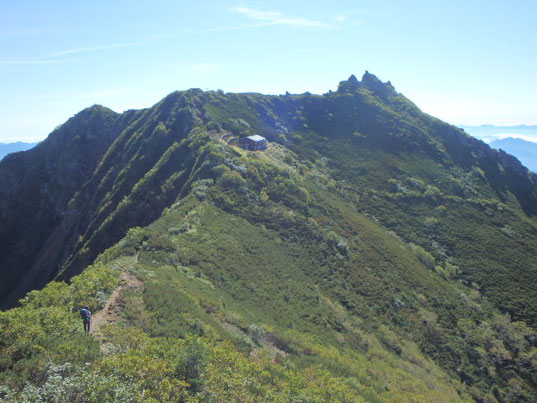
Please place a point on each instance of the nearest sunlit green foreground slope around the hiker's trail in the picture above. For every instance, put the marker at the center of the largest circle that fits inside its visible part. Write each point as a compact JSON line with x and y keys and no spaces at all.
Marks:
{"x":219,"y":296}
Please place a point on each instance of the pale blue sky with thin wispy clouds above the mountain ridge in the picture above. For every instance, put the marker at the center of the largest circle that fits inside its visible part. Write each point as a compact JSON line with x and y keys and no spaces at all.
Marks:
{"x":466,"y":62}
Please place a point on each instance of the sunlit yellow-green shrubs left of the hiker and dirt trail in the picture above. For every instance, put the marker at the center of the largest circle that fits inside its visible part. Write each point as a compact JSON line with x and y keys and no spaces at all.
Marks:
{"x":47,"y":329}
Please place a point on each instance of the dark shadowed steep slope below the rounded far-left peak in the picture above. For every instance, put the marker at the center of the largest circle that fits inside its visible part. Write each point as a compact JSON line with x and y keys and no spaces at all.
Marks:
{"x":35,"y":189}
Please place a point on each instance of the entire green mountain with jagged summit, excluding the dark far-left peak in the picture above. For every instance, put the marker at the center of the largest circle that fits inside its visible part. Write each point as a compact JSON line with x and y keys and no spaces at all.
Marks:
{"x":373,"y":252}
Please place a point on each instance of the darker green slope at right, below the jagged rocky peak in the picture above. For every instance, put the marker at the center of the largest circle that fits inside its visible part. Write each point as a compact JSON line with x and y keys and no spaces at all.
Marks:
{"x":463,"y":224}
